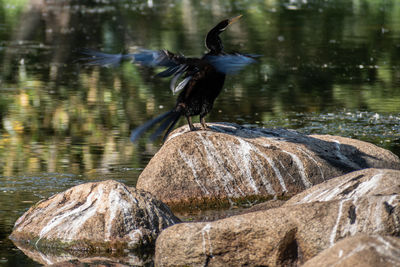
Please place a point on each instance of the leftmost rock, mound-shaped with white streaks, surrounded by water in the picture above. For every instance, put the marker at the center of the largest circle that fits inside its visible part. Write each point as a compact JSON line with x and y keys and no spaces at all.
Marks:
{"x":102,"y":216}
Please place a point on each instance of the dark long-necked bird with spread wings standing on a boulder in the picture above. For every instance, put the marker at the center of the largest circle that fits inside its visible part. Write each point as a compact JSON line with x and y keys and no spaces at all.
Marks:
{"x":201,"y":79}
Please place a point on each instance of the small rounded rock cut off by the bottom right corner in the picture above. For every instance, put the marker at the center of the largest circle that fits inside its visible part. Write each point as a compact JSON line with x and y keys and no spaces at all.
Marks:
{"x":360,"y":251}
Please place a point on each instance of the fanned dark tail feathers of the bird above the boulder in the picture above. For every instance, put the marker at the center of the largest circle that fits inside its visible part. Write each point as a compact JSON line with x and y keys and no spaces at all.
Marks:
{"x":169,"y":118}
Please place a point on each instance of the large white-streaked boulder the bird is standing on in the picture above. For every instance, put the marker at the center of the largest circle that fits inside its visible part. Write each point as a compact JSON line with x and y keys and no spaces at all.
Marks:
{"x":232,"y":162}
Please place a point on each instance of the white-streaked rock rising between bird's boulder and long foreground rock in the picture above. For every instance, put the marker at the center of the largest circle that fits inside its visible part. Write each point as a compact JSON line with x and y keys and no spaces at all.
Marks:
{"x":356,"y":184}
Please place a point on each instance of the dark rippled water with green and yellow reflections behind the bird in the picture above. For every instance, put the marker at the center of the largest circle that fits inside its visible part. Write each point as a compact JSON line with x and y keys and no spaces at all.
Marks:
{"x":328,"y":67}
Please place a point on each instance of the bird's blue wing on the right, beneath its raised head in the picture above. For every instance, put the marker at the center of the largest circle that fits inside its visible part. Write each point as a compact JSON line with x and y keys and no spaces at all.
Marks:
{"x":230,"y":63}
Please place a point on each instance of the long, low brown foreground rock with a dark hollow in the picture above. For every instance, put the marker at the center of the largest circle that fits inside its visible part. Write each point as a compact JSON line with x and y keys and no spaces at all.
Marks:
{"x":282,"y":236}
